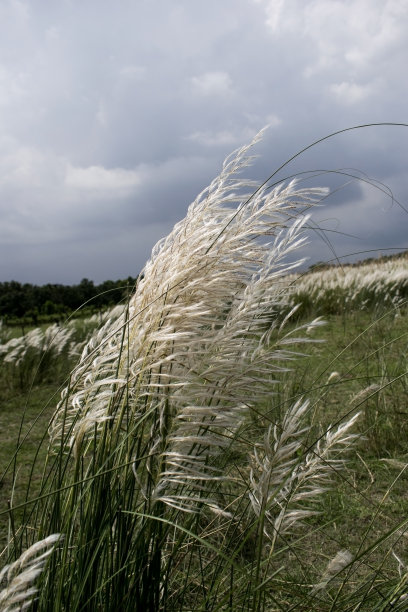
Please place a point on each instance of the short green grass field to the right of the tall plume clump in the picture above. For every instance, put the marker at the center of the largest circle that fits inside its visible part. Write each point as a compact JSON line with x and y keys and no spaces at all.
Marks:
{"x":370,"y":498}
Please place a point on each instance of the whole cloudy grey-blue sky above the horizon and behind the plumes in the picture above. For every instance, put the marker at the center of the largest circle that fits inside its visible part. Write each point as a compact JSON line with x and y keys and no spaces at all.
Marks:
{"x":115,"y":115}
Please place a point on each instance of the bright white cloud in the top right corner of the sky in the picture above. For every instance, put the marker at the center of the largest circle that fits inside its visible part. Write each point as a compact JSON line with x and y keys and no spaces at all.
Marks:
{"x":348,"y":36}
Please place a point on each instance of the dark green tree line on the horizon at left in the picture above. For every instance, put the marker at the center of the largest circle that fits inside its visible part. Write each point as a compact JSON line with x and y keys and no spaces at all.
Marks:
{"x":53,"y":301}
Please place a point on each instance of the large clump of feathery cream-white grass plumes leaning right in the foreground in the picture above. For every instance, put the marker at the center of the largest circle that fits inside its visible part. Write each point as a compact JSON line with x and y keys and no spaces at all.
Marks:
{"x":199,"y":343}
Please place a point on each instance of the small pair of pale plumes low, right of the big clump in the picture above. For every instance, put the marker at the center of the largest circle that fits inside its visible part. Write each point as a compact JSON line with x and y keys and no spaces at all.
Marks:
{"x":285,"y":481}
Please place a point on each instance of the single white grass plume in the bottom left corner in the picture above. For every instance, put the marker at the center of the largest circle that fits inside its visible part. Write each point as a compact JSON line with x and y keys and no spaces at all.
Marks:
{"x":17,"y":579}
